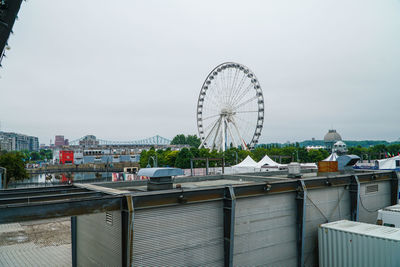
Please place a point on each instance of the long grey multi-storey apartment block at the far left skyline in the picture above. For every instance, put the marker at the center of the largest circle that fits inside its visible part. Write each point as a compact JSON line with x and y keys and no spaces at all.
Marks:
{"x":18,"y":142}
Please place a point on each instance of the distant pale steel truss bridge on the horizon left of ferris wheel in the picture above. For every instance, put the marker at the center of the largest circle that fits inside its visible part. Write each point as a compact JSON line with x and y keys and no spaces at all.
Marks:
{"x":92,"y":140}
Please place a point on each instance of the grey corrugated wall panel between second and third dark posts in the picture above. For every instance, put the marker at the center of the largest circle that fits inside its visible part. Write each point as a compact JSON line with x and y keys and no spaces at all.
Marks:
{"x":265,"y":231}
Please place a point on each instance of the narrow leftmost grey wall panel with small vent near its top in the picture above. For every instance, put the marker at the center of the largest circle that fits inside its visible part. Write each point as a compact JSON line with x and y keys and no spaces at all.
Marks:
{"x":99,"y":239}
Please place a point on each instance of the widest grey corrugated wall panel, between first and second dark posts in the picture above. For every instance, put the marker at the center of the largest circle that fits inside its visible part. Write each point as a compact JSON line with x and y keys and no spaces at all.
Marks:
{"x":184,"y":235}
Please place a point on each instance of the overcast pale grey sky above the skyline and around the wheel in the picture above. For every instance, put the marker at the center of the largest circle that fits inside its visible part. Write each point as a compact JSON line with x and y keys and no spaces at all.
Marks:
{"x":126,"y":70}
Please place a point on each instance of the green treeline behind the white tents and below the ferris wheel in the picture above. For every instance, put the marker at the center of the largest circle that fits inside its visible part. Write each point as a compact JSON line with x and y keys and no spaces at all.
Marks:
{"x":286,"y":153}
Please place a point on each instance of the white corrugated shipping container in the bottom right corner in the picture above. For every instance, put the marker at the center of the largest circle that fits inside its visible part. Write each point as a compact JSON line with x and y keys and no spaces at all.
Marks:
{"x":352,"y":244}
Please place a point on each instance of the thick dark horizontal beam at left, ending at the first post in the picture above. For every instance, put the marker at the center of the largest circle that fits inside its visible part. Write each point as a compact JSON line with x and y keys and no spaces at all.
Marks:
{"x":38,"y":211}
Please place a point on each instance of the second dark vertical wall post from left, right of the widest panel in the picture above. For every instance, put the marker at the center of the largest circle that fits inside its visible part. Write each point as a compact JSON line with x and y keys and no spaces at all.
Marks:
{"x":229,"y":225}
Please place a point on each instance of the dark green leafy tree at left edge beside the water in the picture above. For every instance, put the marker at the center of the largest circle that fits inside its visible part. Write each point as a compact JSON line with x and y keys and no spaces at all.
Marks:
{"x":14,"y":163}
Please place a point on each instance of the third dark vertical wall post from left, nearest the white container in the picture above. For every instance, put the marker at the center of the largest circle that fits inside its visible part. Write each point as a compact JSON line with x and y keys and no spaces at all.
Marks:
{"x":301,"y":201}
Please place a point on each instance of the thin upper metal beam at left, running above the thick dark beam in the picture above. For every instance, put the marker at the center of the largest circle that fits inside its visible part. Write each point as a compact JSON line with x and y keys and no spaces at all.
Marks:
{"x":47,"y":198}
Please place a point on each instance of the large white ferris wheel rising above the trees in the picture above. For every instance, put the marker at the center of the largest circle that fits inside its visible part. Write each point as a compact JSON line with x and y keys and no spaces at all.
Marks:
{"x":230,"y":108}
